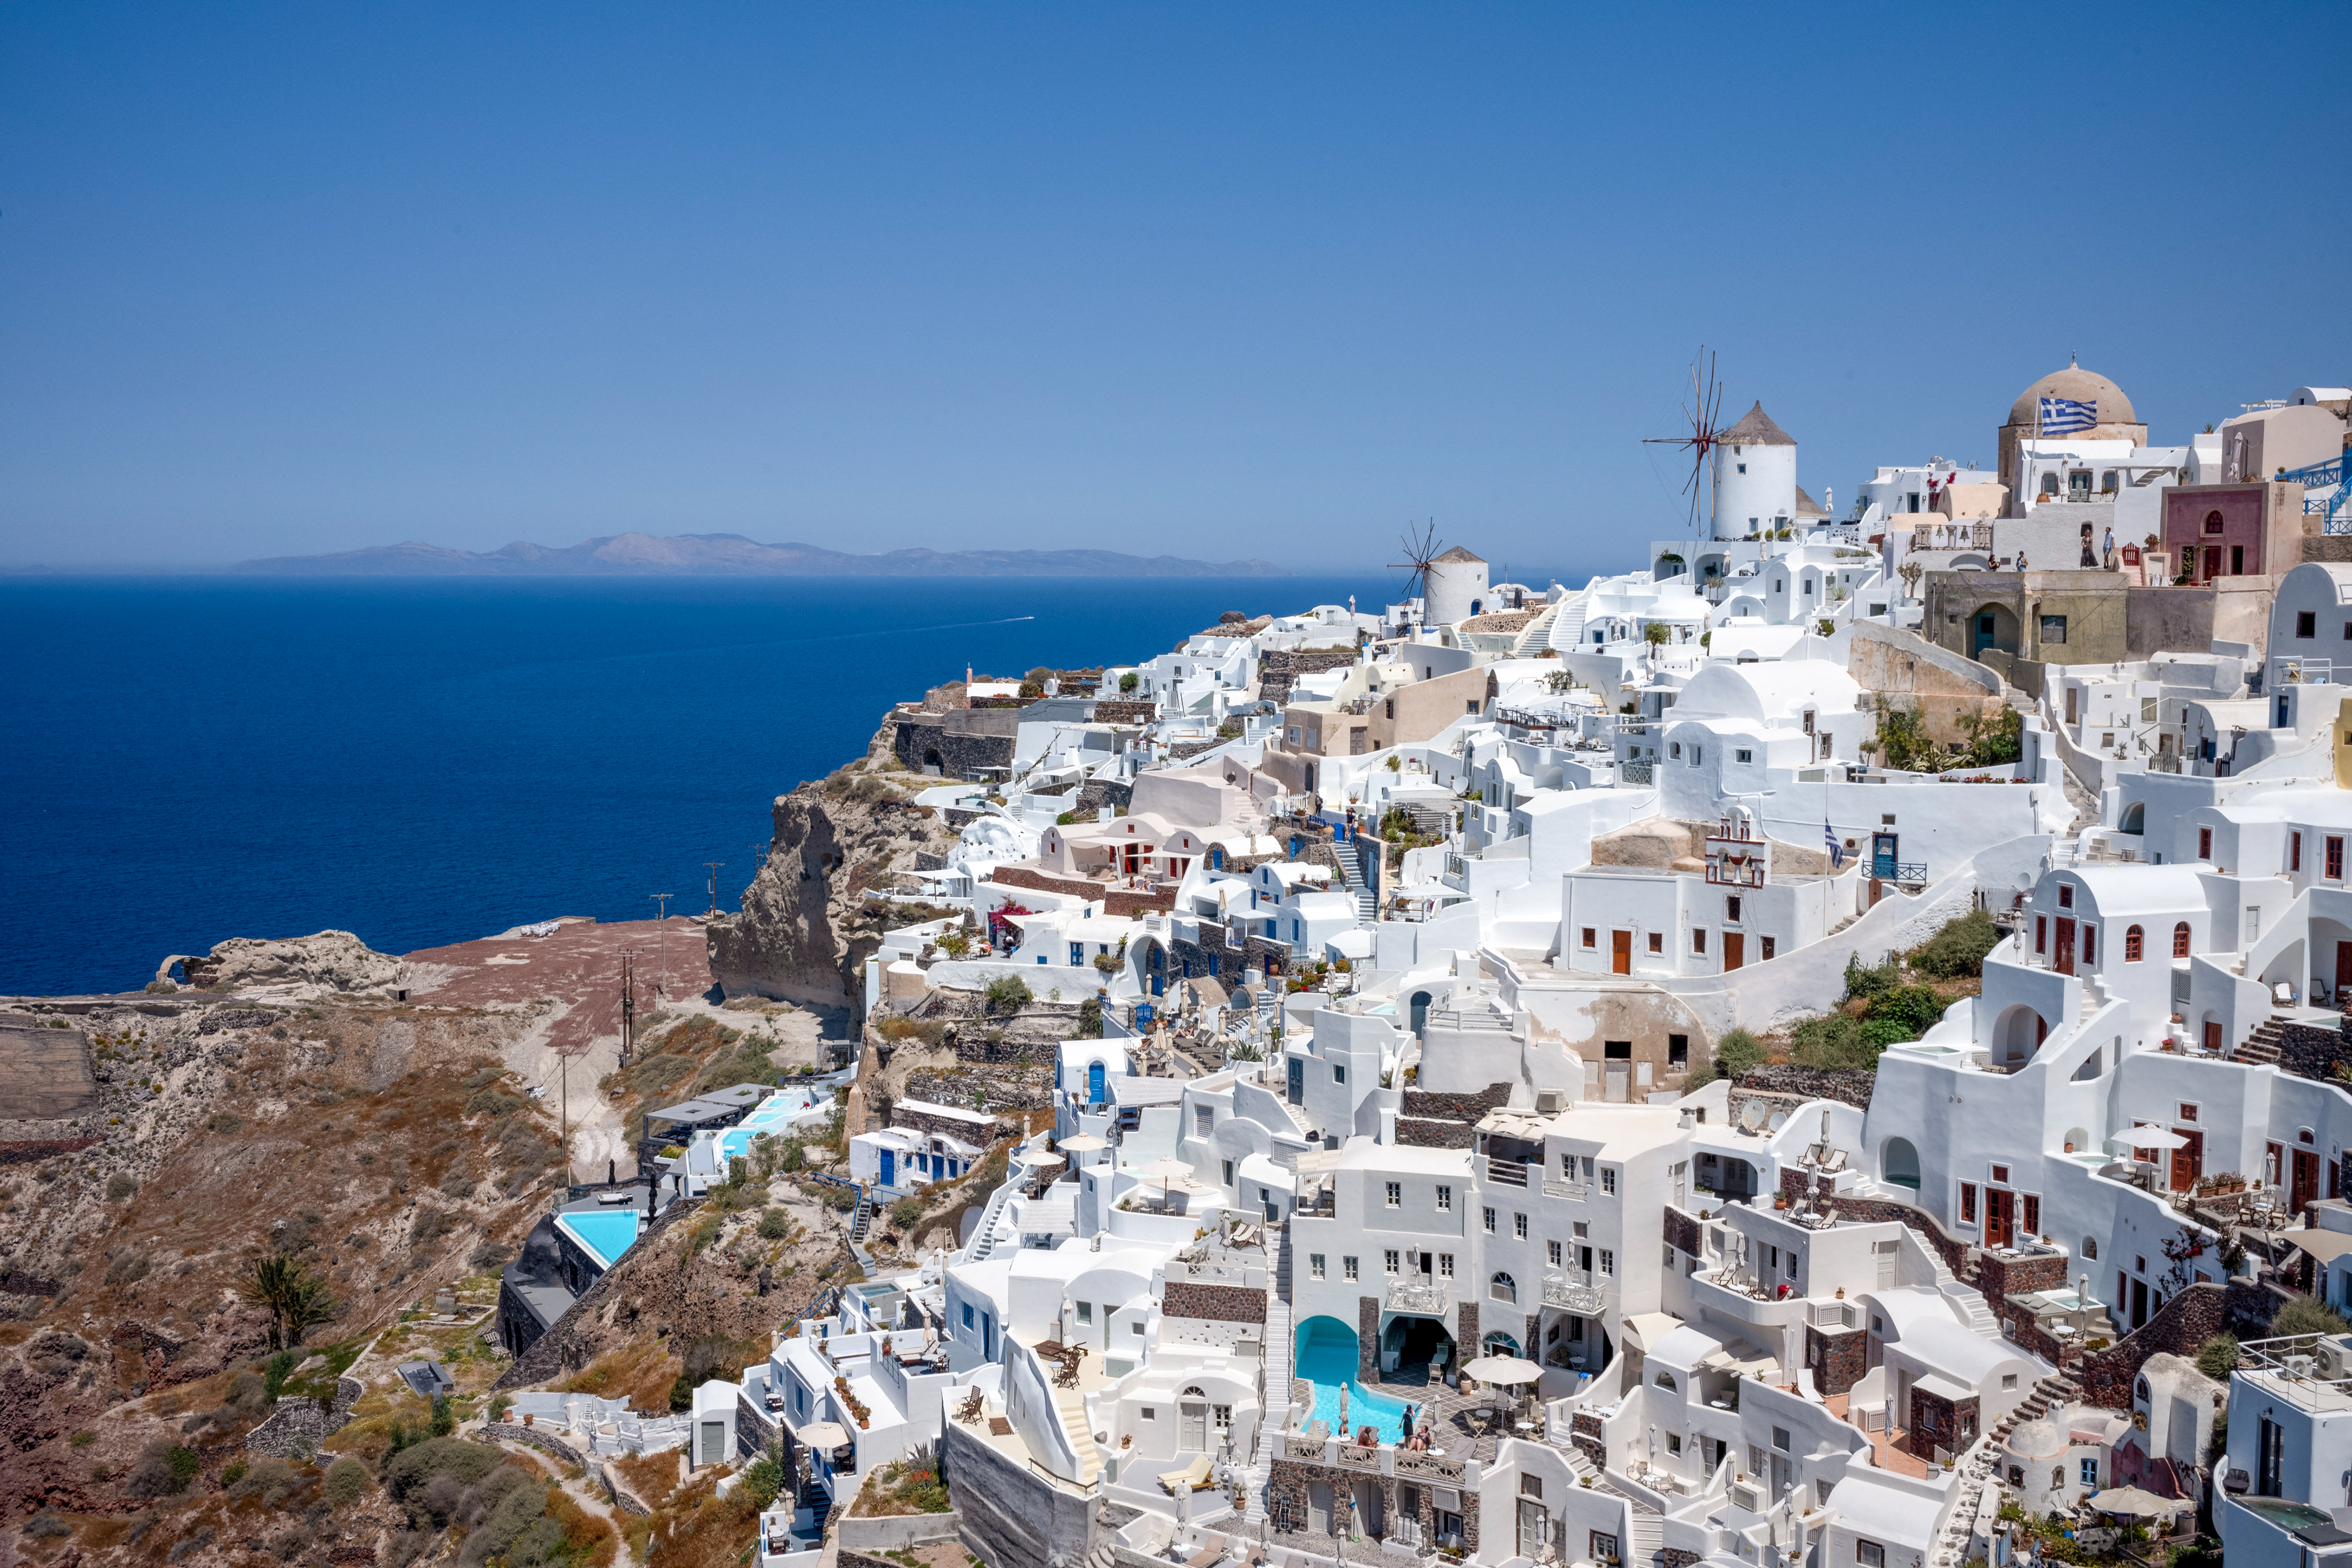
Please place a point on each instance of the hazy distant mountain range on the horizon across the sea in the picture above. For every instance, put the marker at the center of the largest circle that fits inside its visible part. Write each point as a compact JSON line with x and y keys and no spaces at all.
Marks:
{"x":733,"y":556}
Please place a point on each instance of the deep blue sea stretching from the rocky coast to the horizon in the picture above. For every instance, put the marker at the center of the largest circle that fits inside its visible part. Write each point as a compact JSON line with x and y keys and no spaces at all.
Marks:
{"x":432,"y":760}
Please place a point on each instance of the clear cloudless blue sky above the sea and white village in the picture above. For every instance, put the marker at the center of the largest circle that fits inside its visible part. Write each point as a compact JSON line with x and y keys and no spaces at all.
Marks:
{"x":1210,"y":281}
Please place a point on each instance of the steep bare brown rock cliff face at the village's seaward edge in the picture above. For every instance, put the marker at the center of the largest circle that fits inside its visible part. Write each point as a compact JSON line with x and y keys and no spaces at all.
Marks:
{"x":806,"y":925}
